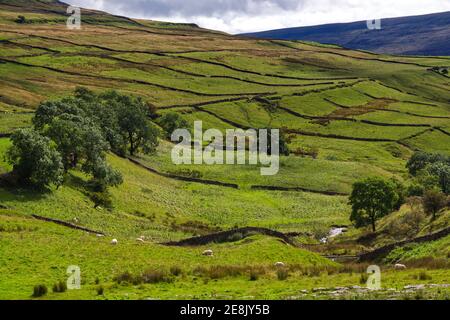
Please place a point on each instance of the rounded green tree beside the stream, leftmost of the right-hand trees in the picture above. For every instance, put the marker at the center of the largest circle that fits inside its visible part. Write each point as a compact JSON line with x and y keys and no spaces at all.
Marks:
{"x":372,"y":199}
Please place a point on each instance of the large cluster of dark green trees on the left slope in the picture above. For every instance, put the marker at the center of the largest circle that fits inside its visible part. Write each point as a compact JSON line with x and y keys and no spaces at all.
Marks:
{"x":77,"y":132}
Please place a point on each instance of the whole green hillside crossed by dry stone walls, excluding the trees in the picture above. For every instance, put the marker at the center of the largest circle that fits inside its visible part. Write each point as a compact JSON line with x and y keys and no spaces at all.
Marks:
{"x":348,"y":115}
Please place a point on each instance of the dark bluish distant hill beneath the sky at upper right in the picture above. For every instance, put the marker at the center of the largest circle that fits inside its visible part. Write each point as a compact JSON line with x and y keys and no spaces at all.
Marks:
{"x":418,"y":35}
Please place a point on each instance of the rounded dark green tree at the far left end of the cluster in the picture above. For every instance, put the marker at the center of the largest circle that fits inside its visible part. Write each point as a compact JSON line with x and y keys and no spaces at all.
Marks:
{"x":35,"y":159}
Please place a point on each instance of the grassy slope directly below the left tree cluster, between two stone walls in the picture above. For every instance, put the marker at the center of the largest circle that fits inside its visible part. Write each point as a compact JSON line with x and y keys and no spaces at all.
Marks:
{"x":156,"y":207}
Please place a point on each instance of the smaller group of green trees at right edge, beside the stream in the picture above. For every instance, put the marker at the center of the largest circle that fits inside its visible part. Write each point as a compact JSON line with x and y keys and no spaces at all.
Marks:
{"x":374,"y":198}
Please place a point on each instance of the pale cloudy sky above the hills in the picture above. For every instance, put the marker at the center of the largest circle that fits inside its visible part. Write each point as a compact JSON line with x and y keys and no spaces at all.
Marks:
{"x":237,"y":16}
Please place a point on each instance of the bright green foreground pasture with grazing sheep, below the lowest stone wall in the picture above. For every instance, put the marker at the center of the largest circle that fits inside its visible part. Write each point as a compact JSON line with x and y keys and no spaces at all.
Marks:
{"x":53,"y":248}
